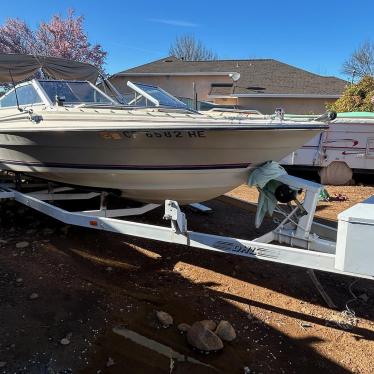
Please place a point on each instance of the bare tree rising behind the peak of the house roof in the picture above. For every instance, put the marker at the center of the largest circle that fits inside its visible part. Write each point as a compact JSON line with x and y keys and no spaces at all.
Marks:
{"x":186,"y":47}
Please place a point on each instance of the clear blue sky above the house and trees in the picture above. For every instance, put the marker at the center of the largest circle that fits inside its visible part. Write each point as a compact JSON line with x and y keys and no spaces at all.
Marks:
{"x":314,"y":35}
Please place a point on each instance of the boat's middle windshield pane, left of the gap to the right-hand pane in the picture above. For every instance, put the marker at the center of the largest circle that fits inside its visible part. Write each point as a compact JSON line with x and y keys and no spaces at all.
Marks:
{"x":74,"y":92}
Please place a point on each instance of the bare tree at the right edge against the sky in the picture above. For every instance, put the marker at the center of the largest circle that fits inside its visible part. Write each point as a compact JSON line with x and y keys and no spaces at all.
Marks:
{"x":361,"y":62}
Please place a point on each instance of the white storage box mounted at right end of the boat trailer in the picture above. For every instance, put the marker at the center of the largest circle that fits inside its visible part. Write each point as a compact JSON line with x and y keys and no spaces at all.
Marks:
{"x":355,"y":241}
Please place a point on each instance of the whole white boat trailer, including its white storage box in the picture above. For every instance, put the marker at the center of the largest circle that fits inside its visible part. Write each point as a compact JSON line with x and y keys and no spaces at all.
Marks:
{"x":297,"y":240}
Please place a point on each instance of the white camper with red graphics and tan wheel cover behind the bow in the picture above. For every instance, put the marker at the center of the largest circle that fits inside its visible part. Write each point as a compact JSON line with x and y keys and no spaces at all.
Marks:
{"x":347,"y":147}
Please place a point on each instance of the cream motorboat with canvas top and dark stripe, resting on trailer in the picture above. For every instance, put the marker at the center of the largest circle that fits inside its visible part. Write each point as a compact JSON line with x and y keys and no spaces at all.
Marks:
{"x":71,"y":132}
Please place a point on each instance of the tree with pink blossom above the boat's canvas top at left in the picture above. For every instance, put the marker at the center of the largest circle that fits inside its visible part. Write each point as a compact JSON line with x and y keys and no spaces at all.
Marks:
{"x":60,"y":37}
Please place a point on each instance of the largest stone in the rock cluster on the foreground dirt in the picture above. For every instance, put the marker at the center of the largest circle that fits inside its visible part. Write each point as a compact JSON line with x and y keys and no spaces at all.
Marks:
{"x":203,"y":339}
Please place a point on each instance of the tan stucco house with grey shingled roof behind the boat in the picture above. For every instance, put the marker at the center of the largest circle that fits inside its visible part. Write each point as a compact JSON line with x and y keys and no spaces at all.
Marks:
{"x":261,"y":84}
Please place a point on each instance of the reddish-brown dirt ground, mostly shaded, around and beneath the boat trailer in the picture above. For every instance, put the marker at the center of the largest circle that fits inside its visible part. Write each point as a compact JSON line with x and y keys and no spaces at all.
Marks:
{"x":78,"y":284}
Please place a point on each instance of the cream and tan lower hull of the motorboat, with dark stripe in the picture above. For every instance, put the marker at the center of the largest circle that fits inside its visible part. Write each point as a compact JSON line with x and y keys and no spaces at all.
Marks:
{"x":149,"y":166}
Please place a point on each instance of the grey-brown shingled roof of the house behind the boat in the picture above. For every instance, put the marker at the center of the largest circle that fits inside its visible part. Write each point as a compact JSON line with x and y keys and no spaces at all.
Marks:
{"x":257,"y":76}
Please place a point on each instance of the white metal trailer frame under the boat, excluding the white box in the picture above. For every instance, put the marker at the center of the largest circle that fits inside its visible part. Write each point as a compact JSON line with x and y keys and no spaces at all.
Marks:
{"x":308,"y":244}
